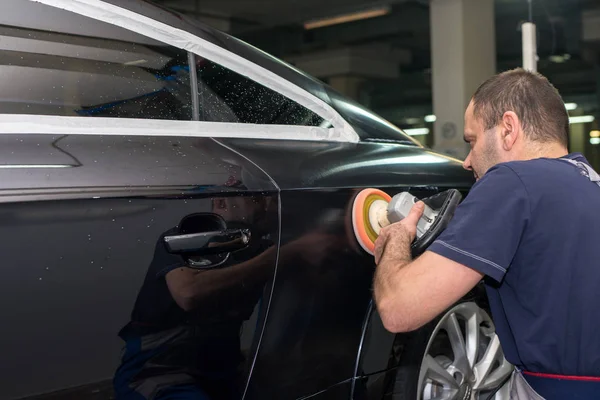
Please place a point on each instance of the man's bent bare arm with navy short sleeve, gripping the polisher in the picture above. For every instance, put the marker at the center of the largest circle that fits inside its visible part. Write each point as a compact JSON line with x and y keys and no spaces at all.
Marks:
{"x":481,"y":239}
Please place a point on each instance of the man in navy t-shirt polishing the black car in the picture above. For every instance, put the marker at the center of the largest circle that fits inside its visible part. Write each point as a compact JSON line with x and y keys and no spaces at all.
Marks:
{"x":529,"y":228}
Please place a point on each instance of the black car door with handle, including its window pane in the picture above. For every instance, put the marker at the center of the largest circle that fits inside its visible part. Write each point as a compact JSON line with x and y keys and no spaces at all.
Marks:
{"x":138,"y":253}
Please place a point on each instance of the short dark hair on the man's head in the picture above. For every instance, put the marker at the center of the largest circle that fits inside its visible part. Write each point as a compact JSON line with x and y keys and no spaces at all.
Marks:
{"x":532,"y":97}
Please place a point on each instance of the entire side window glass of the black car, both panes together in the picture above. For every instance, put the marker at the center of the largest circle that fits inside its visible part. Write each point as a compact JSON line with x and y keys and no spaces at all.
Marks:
{"x":68,"y":64}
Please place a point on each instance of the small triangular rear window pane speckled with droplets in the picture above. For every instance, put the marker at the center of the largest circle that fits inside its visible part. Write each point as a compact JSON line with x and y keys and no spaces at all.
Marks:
{"x":226,"y":96}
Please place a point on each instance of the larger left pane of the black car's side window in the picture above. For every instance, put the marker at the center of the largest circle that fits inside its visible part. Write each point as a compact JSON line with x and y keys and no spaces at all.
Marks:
{"x":71,"y":65}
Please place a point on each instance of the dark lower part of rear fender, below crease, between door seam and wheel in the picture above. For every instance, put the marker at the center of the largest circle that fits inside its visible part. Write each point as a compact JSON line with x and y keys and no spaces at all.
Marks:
{"x":318,"y":301}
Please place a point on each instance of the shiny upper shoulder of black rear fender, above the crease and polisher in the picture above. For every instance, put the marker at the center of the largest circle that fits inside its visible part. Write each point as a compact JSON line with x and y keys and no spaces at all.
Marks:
{"x":313,"y":165}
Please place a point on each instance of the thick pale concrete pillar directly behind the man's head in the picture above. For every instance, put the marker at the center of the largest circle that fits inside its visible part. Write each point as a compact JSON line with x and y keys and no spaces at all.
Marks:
{"x":463,"y":55}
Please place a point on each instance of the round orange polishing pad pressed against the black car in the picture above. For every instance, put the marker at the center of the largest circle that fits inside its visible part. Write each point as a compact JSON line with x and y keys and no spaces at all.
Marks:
{"x":368,"y":204}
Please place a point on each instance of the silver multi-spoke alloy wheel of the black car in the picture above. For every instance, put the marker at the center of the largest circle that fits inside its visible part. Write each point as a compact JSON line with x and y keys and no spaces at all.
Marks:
{"x":463,"y":359}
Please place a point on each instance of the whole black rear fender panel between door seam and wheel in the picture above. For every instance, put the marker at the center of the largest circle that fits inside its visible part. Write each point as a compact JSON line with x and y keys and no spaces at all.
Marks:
{"x":322,"y":302}
